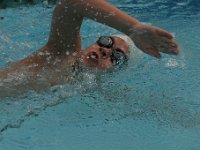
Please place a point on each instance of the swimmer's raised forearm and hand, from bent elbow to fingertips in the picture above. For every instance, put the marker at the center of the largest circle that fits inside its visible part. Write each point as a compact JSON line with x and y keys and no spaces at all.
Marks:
{"x":151,"y":40}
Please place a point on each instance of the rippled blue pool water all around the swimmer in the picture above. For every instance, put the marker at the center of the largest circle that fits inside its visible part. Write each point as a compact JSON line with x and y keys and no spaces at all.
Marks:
{"x":151,"y":105}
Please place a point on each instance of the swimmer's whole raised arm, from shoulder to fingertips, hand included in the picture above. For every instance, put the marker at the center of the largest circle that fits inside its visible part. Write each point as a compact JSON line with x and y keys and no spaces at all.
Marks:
{"x":68,"y":17}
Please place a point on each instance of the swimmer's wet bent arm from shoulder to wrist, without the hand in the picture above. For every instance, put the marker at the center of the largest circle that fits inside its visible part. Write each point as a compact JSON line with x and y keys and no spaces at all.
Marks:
{"x":68,"y":17}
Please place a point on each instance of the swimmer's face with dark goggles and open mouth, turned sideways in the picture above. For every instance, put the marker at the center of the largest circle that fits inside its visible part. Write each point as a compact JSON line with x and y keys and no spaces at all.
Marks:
{"x":105,"y":54}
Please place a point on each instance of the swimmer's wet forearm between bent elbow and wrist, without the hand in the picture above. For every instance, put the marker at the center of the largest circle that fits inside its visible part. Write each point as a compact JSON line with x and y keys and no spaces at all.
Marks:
{"x":103,"y":12}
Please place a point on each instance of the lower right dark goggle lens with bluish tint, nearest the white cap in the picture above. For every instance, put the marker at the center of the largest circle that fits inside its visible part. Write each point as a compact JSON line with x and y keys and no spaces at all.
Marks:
{"x":118,"y":57}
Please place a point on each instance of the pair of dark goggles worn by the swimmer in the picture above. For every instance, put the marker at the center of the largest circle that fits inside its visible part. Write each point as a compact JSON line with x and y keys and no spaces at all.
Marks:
{"x":118,"y":57}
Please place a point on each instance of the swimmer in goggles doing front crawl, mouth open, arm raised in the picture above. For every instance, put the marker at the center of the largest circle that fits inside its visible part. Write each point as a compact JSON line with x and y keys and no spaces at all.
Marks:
{"x":58,"y":61}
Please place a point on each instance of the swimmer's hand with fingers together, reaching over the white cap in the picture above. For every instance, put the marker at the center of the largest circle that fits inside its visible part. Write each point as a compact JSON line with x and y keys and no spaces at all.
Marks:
{"x":153,"y":40}
